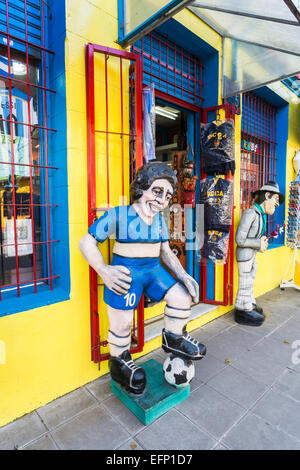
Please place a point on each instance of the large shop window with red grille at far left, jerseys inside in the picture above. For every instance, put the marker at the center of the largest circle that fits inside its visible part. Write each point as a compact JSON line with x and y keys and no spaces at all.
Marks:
{"x":24,"y":185}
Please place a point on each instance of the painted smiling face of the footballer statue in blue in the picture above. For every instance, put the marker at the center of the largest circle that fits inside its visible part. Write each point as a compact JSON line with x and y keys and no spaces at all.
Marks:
{"x":156,"y":198}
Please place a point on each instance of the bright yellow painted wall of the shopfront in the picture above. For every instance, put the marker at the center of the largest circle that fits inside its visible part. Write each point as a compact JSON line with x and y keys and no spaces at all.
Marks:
{"x":48,"y":349}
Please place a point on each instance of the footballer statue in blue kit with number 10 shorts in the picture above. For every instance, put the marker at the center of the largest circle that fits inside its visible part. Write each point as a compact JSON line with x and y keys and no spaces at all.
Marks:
{"x":141,"y":241}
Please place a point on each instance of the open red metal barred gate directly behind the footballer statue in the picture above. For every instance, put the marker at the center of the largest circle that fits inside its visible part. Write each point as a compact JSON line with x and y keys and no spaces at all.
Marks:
{"x":135,"y":61}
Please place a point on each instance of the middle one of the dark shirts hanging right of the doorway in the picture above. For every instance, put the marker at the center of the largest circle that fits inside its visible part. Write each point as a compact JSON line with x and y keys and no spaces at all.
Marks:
{"x":217,"y":196}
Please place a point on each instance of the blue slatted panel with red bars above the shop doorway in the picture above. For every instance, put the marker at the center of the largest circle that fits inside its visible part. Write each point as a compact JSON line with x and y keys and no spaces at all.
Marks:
{"x":170,"y":67}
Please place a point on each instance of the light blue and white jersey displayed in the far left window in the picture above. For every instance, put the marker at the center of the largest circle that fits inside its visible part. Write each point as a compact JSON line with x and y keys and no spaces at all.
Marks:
{"x":21,"y":155}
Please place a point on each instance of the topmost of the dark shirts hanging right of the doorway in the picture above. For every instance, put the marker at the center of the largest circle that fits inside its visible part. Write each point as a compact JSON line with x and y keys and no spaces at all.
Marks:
{"x":217,"y":148}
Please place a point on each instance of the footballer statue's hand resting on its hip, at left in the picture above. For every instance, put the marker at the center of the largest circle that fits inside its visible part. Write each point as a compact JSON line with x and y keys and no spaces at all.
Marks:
{"x":116,"y":278}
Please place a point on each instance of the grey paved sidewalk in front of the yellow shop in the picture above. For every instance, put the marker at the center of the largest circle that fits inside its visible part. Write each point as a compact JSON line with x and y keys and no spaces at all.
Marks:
{"x":245,"y":395}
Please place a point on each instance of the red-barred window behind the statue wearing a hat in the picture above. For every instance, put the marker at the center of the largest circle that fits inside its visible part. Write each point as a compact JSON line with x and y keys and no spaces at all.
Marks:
{"x":258,"y":148}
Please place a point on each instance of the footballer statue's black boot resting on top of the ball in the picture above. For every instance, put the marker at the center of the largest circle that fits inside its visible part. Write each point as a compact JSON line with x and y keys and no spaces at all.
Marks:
{"x":183,"y":346}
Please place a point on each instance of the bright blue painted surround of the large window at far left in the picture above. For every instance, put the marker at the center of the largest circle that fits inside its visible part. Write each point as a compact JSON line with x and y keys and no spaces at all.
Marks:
{"x":58,"y":179}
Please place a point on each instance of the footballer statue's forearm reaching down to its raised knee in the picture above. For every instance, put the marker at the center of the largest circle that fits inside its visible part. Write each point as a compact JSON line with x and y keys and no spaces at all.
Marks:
{"x":172,"y":262}
